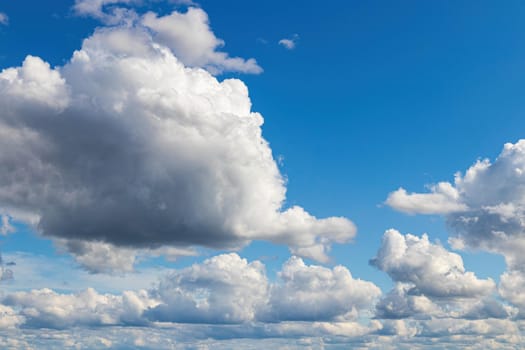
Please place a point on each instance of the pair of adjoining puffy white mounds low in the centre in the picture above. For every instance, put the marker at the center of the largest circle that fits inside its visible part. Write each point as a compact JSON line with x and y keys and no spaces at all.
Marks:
{"x":228,"y":289}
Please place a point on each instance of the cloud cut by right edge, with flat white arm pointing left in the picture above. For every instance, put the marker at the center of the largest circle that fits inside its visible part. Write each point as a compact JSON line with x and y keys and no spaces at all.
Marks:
{"x":488,"y":212}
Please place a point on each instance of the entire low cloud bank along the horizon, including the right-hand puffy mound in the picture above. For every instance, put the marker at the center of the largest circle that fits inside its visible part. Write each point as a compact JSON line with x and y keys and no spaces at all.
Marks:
{"x":227,"y":297}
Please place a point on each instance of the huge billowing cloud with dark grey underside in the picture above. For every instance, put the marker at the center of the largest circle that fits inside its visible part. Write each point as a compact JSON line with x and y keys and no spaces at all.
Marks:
{"x":125,"y":145}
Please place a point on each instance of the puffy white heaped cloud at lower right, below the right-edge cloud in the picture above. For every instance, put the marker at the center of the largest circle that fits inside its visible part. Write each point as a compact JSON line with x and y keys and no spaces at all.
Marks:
{"x":431,"y":282}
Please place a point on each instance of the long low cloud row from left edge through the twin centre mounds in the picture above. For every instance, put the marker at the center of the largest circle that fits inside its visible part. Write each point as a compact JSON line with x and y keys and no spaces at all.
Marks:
{"x":224,"y":289}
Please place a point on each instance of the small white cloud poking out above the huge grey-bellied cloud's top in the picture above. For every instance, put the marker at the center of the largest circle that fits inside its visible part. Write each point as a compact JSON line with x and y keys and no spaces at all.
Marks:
{"x":191,"y":39}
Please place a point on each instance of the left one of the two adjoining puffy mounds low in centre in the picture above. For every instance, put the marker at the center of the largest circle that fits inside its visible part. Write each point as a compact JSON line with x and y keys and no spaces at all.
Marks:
{"x":223,"y":289}
